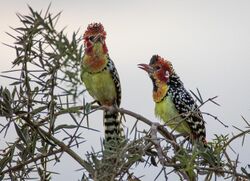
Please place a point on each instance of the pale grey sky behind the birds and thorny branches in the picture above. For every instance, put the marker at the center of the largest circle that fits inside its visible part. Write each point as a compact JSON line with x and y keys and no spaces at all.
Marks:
{"x":208,"y":42}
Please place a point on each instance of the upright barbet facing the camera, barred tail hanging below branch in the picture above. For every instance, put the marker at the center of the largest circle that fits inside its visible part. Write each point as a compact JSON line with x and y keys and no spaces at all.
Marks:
{"x":101,"y":78}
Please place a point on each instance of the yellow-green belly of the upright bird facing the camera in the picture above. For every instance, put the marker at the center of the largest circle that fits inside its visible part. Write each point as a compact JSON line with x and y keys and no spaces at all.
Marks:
{"x":100,"y":86}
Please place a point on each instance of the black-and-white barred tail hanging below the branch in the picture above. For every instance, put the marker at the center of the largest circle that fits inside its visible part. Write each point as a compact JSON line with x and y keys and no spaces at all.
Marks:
{"x":113,"y":127}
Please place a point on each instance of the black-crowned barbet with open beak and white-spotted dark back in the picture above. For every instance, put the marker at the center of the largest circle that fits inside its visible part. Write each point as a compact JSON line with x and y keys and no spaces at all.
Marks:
{"x":173,"y":103}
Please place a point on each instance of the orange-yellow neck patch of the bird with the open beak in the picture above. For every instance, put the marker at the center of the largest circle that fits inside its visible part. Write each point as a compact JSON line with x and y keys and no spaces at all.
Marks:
{"x":160,"y":90}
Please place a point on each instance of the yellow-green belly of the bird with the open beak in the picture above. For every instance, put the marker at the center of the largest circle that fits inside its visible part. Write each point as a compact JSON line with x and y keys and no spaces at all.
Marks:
{"x":167,"y":112}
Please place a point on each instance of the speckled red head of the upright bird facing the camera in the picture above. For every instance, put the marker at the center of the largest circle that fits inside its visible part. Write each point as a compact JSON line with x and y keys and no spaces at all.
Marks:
{"x":95,"y":34}
